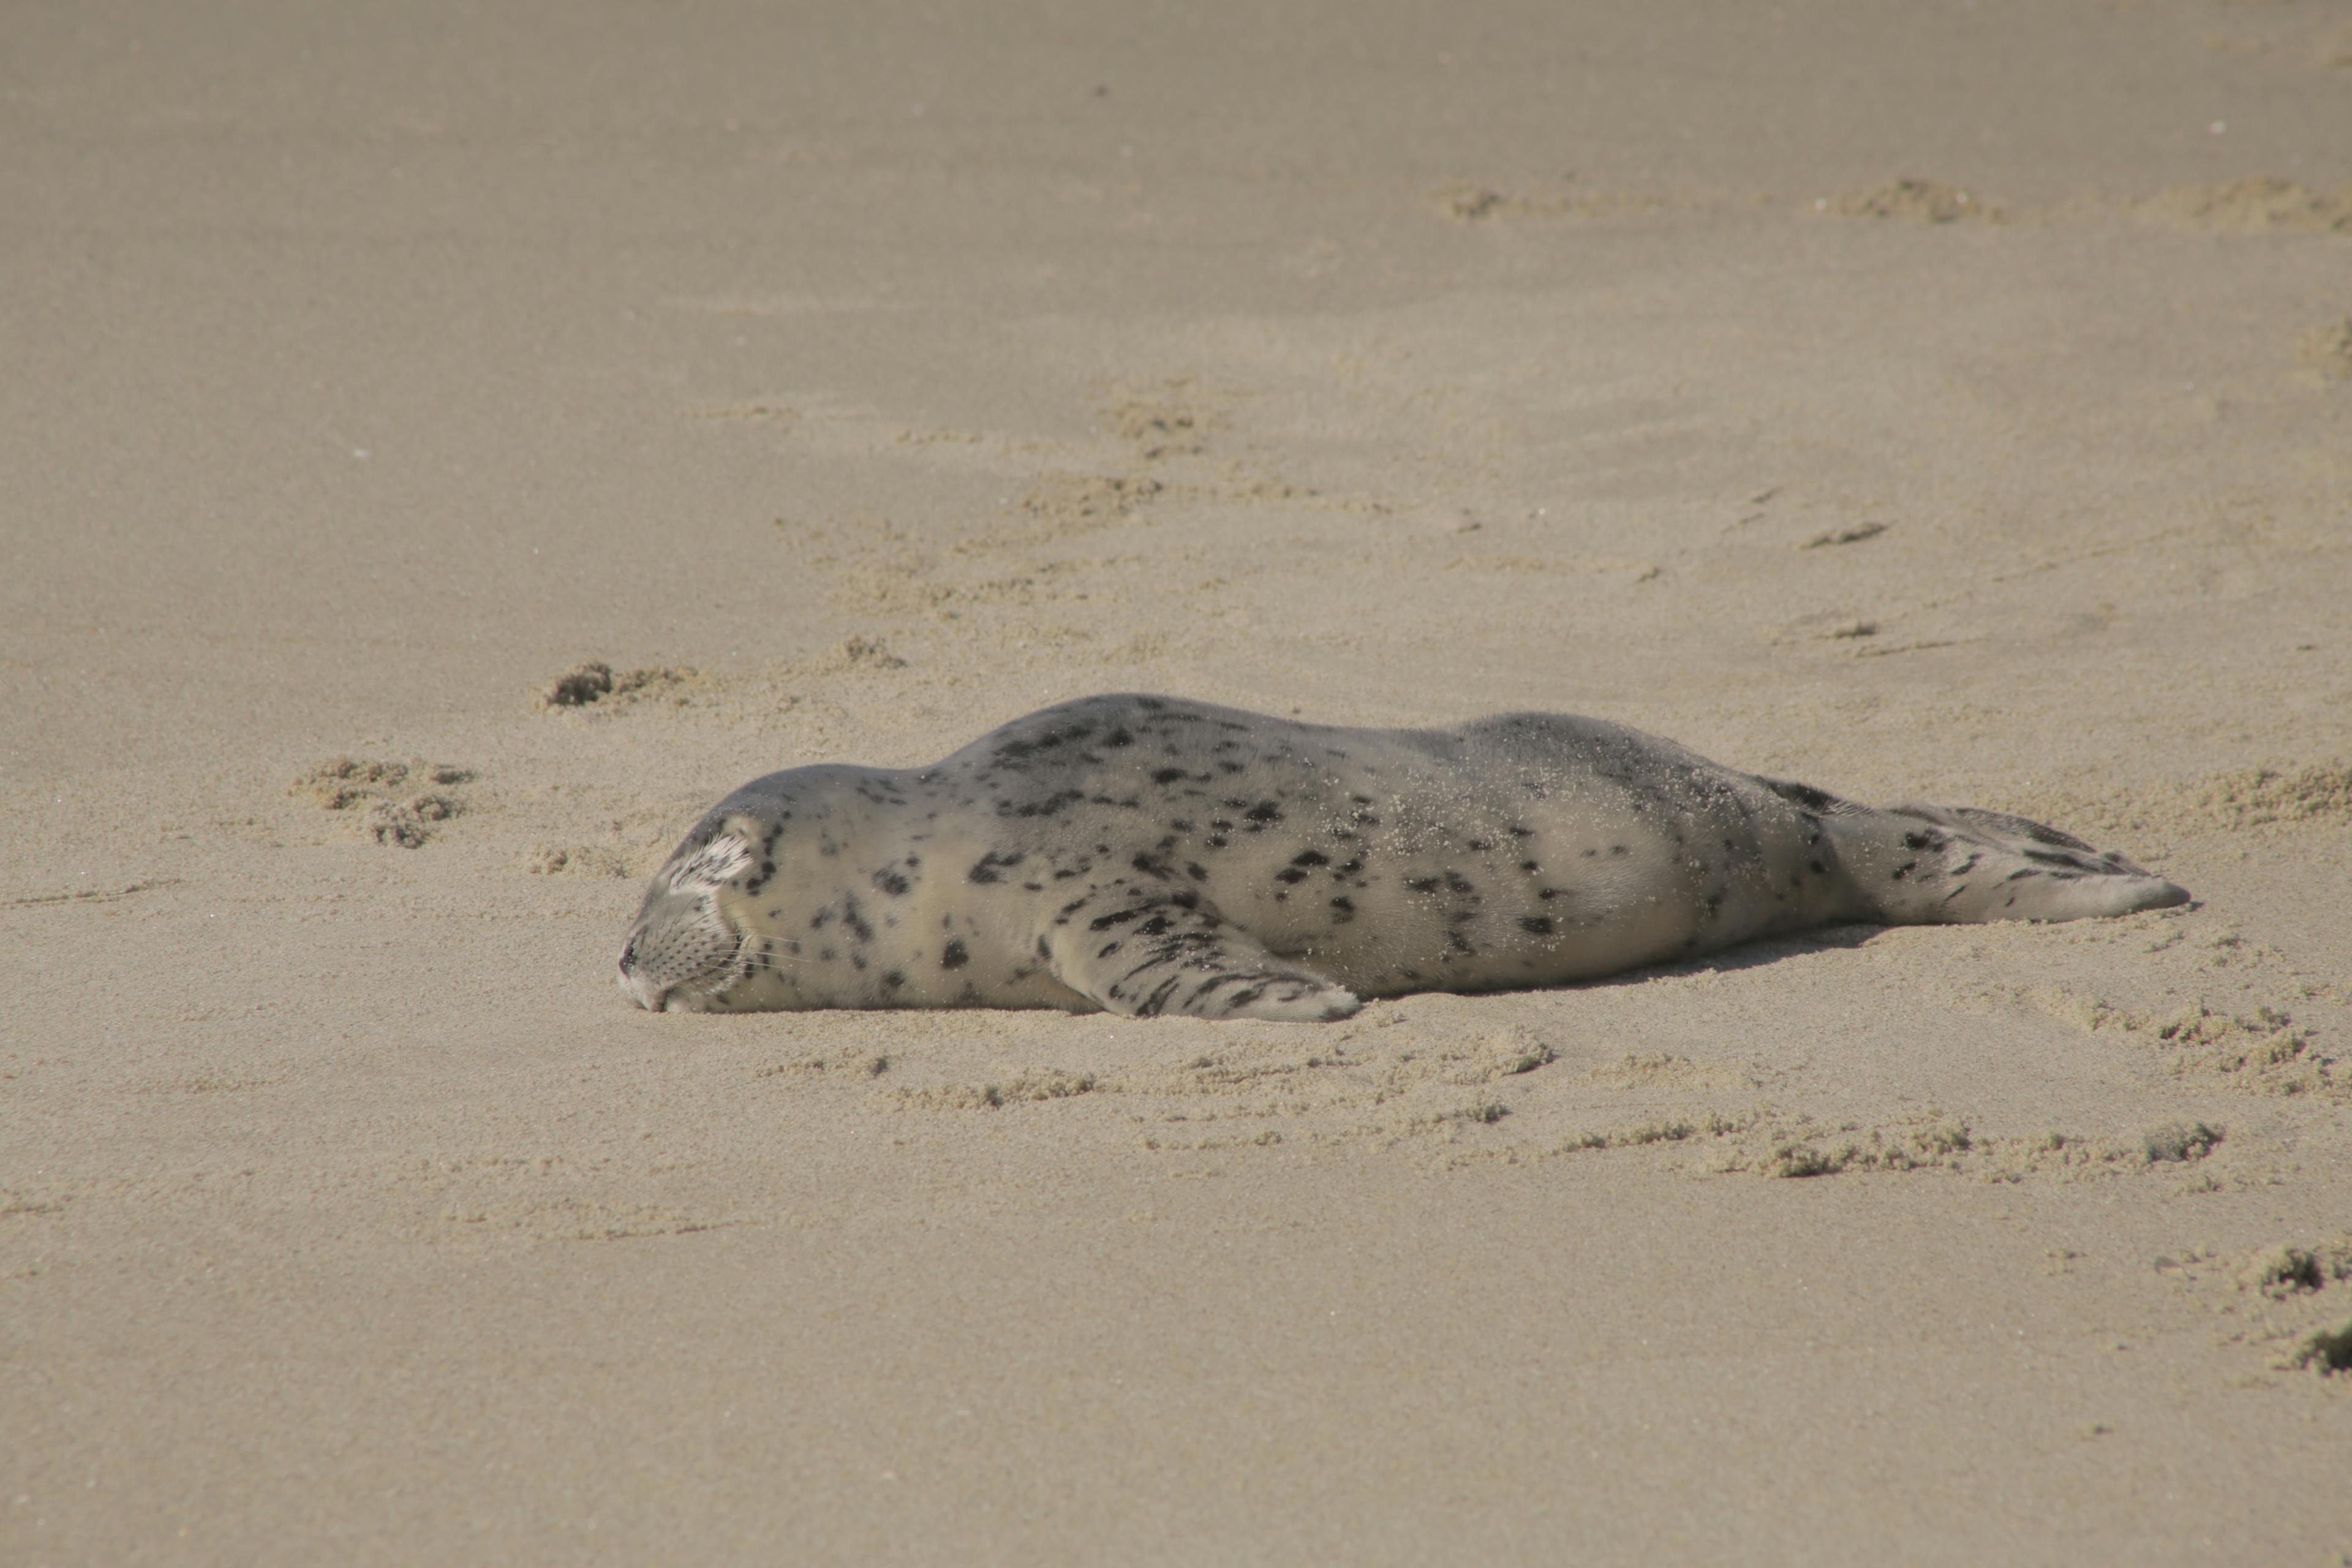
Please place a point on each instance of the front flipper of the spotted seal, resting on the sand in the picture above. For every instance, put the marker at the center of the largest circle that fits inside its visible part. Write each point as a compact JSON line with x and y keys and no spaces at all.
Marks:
{"x":1144,"y":956}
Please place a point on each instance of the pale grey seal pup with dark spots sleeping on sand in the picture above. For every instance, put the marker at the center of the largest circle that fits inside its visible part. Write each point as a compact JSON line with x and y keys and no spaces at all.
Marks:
{"x":1147,"y":855}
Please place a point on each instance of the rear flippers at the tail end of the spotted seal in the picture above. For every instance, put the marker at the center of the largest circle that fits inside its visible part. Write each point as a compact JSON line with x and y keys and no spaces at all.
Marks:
{"x":1958,"y":864}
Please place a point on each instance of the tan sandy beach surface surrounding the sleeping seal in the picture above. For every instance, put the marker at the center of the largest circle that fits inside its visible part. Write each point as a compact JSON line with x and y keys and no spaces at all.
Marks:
{"x":1916,"y":401}
